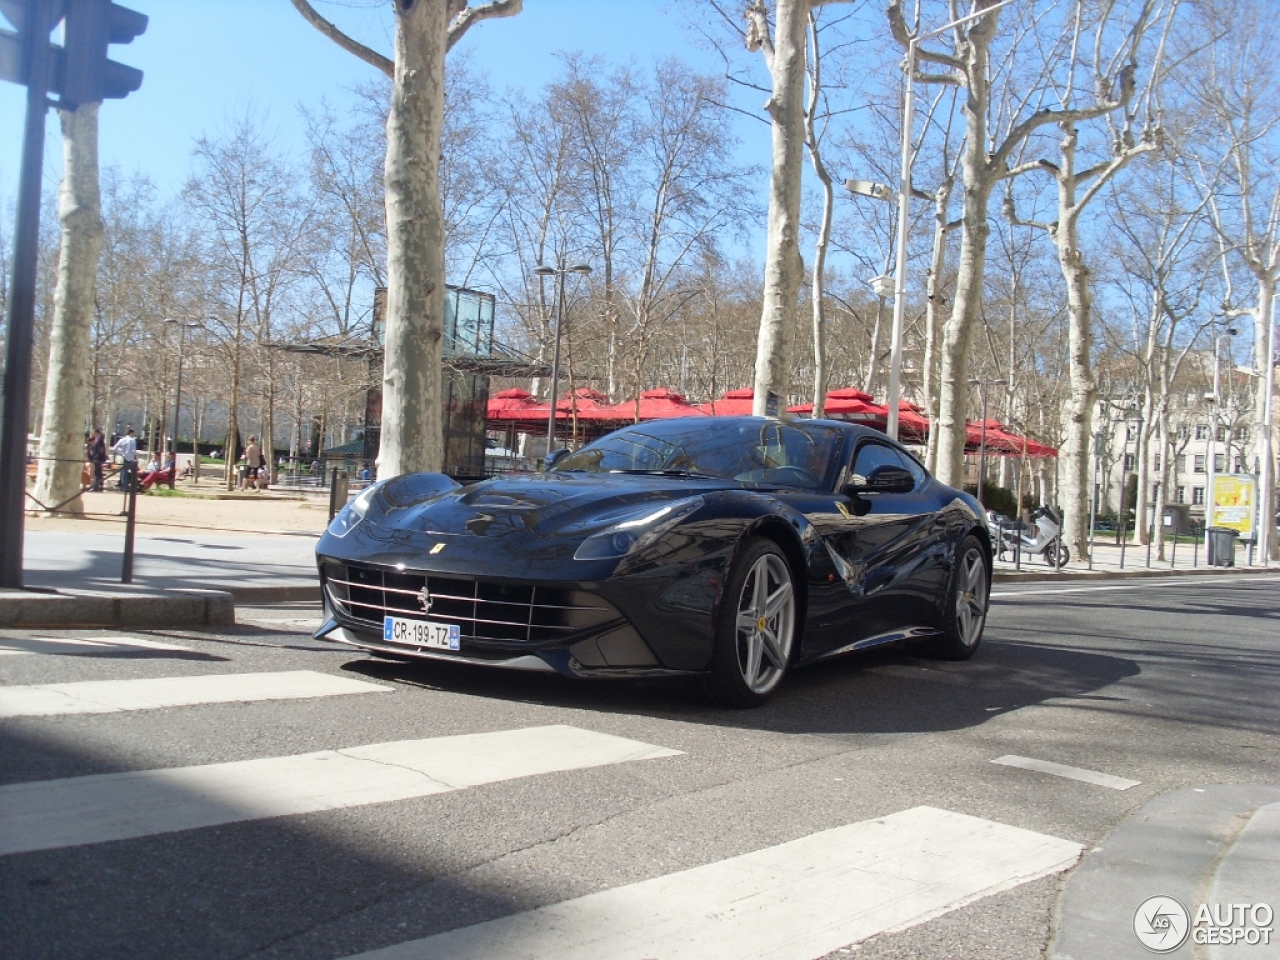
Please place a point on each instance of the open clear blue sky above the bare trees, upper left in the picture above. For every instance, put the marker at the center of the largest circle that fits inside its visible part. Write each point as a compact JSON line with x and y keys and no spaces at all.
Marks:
{"x":208,"y":61}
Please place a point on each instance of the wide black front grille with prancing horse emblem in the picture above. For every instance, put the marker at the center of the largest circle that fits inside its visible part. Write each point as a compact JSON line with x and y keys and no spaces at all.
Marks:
{"x":483,"y":610}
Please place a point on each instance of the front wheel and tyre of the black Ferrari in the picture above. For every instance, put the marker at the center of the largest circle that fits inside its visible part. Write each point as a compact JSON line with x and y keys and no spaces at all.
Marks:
{"x":755,"y":629}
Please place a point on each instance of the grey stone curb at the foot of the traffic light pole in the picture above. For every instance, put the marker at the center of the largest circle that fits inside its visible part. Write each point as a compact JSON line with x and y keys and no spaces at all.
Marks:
{"x":67,"y":611}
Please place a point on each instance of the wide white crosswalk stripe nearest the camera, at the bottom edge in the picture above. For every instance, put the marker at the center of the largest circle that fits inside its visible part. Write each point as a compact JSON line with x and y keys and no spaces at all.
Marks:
{"x":793,"y":902}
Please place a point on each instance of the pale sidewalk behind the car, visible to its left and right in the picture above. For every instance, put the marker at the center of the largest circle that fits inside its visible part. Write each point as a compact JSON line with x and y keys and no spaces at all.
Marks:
{"x":196,"y":559}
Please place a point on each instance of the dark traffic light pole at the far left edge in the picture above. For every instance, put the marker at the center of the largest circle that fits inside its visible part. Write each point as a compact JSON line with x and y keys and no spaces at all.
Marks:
{"x":22,"y":303}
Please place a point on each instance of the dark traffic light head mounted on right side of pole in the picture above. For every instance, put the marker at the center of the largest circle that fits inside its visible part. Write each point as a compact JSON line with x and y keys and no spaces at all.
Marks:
{"x":88,"y":76}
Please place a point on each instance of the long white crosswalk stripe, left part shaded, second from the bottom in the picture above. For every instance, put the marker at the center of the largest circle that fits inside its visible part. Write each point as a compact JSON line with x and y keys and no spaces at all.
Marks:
{"x":60,"y":813}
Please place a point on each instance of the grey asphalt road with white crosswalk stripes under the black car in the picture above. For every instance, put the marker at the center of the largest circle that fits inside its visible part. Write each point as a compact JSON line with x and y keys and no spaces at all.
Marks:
{"x":1171,"y":684}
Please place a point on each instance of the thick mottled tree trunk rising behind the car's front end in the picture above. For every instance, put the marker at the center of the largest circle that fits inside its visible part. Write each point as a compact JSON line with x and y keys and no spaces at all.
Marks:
{"x":413,"y":433}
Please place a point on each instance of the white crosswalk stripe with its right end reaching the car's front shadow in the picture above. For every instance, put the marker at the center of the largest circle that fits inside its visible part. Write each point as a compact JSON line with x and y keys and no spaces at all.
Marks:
{"x":117,"y":696}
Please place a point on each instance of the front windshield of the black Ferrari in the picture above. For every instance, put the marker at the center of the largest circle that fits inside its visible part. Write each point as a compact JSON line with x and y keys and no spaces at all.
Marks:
{"x":752,"y":451}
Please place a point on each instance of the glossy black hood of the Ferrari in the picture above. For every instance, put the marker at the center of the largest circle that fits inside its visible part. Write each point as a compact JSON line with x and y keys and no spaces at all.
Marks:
{"x":543,"y":505}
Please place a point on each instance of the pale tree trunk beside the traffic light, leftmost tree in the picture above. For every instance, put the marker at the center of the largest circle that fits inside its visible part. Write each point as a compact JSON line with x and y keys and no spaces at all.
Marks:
{"x":62,"y":446}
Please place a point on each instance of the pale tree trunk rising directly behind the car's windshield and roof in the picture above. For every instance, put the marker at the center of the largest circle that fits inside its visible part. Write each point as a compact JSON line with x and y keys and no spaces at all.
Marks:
{"x":784,"y":267}
